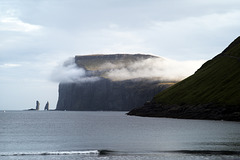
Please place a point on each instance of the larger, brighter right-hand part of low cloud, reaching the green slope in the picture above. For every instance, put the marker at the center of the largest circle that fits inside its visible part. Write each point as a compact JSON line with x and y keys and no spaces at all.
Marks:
{"x":154,"y":68}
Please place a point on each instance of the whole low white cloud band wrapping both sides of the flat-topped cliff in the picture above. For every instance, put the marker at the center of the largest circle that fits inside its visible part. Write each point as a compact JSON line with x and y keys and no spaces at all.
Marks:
{"x":152,"y":68}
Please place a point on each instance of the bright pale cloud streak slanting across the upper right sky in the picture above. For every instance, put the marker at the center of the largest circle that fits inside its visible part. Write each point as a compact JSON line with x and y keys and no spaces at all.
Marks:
{"x":210,"y":22}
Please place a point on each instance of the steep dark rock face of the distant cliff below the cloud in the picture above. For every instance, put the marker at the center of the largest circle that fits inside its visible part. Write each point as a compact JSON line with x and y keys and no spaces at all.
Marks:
{"x":107,"y":95}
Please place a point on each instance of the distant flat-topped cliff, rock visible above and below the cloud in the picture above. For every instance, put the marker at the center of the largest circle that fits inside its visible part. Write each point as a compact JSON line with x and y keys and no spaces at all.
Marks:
{"x":107,"y":94}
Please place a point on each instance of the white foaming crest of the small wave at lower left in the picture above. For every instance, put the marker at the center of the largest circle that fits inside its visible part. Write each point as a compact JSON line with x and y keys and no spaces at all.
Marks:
{"x":89,"y":152}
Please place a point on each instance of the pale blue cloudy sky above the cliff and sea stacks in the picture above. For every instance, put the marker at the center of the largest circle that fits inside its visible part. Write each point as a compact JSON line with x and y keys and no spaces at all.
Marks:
{"x":38,"y":35}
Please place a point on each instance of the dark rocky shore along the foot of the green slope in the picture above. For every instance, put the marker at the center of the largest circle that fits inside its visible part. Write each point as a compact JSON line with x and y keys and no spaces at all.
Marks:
{"x":200,"y":111}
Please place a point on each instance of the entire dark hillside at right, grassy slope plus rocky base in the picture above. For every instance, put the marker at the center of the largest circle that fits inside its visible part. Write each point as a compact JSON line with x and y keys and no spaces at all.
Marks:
{"x":213,"y":92}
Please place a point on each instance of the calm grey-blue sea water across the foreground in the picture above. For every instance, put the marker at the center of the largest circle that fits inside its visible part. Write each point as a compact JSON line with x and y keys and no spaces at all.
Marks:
{"x":67,"y":135}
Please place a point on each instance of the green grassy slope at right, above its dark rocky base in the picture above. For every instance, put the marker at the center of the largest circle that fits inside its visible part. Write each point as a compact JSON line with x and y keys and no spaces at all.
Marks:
{"x":217,"y":81}
